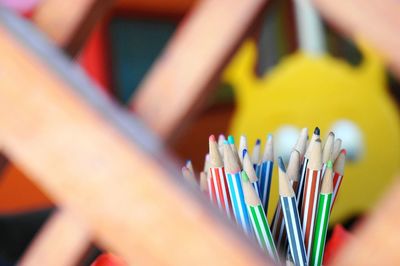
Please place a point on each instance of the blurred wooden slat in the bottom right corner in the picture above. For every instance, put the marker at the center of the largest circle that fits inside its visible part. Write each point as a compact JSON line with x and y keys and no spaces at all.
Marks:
{"x":377,"y":241}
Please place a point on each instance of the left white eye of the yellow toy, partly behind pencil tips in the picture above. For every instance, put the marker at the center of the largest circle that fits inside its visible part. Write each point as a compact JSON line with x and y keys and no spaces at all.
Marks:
{"x":284,"y":140}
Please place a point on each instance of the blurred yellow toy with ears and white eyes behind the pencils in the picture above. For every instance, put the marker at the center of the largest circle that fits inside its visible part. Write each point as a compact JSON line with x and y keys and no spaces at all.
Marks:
{"x":309,"y":91}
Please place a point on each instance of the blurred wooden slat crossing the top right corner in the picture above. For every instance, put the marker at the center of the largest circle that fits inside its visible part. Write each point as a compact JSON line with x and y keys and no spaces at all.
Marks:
{"x":377,"y":21}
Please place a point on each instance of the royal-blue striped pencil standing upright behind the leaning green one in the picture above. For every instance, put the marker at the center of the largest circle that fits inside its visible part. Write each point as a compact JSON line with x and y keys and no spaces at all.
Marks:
{"x":265,"y":173}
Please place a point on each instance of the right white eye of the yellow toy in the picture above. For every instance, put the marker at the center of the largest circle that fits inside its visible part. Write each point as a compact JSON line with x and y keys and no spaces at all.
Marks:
{"x":352,"y":138}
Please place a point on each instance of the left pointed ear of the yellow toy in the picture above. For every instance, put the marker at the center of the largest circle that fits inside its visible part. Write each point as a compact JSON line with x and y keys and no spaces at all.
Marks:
{"x":240,"y":71}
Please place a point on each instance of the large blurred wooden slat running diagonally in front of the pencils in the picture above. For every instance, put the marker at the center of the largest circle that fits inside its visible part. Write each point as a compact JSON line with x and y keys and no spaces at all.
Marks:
{"x":83,"y":151}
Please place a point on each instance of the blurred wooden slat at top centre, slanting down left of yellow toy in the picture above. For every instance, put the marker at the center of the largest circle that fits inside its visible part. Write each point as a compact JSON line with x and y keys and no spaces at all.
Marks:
{"x":194,"y":57}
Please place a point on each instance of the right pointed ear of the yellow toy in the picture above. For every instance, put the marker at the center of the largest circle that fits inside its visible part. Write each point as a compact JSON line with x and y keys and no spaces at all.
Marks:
{"x":372,"y":66}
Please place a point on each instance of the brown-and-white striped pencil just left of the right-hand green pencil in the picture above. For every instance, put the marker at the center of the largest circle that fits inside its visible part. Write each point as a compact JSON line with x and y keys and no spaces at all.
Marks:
{"x":311,"y":189}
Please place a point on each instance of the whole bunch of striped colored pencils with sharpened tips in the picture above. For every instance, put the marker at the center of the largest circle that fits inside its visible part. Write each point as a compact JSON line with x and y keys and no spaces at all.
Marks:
{"x":239,"y":184}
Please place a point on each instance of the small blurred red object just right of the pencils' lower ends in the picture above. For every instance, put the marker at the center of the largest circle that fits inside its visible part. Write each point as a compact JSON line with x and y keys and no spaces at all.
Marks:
{"x":340,"y":236}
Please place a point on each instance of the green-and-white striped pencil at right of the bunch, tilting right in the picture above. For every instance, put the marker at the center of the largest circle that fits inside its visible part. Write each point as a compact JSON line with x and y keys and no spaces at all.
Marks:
{"x":321,"y":225}
